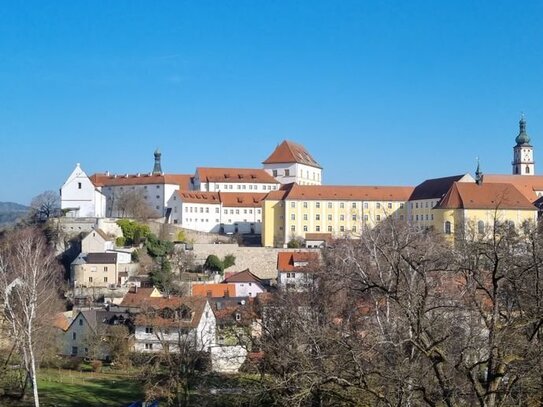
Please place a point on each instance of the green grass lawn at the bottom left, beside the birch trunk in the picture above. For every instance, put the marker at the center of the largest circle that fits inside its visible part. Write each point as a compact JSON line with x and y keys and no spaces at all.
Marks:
{"x":72,"y":388}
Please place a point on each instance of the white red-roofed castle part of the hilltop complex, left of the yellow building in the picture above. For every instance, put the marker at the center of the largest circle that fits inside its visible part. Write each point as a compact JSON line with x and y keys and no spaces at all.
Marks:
{"x":221,"y":200}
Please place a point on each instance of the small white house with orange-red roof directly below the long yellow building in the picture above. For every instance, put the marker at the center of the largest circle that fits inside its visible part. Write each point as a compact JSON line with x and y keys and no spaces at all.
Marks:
{"x":295,"y":270}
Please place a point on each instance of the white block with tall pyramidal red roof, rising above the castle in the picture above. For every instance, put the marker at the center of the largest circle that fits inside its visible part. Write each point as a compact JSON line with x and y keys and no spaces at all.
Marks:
{"x":291,"y":162}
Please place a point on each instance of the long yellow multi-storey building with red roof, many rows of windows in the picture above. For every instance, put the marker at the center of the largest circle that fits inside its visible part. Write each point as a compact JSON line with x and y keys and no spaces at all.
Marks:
{"x":336,"y":210}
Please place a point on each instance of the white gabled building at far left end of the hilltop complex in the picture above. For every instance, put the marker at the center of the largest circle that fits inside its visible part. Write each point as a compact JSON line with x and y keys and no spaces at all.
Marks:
{"x":79,"y":197}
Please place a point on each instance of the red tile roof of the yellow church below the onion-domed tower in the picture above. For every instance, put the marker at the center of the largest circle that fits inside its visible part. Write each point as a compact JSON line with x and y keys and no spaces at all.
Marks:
{"x":484,"y":196}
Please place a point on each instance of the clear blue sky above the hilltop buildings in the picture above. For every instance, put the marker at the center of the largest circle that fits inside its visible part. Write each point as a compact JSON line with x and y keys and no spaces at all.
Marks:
{"x":380,"y":92}
